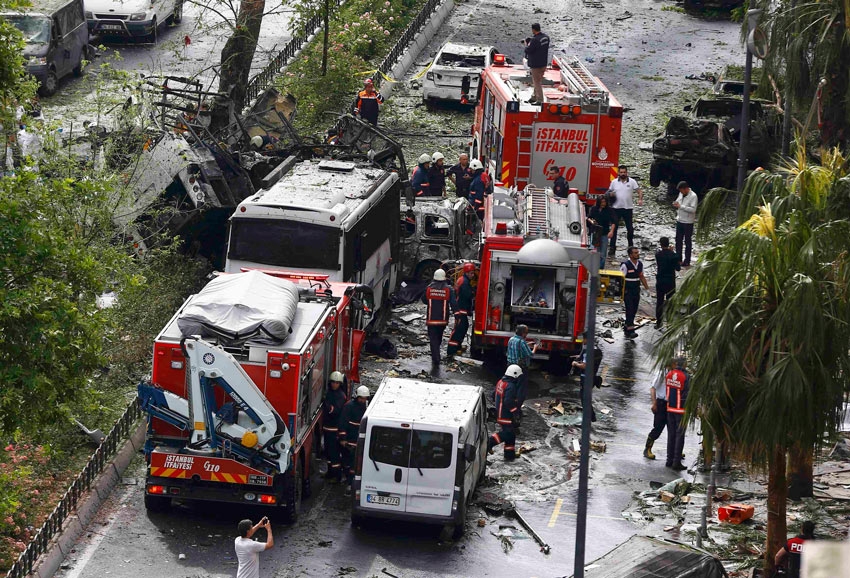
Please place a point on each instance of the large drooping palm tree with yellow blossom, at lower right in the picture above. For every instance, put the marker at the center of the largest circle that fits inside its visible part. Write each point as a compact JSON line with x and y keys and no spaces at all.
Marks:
{"x":766,"y":319}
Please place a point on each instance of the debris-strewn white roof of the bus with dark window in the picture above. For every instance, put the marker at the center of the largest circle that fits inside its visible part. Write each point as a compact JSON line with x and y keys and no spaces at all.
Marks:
{"x":322,"y":186}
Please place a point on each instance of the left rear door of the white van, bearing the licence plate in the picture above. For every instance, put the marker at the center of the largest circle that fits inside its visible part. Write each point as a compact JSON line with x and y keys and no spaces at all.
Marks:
{"x":385,"y":471}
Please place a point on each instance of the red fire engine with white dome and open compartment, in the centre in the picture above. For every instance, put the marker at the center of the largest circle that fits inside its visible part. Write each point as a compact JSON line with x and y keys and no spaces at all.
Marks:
{"x":527,"y":276}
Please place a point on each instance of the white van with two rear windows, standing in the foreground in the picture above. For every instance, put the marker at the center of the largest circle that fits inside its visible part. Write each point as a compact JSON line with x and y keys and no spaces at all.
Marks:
{"x":421,"y":453}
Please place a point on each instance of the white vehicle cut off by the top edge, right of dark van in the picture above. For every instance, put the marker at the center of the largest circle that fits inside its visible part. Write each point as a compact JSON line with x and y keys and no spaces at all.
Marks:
{"x":132,"y":18}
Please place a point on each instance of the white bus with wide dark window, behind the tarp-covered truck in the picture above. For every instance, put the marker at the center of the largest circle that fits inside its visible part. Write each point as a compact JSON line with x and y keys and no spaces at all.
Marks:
{"x":322,"y":216}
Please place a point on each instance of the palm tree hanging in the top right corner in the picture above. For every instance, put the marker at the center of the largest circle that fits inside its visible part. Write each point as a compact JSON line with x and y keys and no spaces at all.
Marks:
{"x":809,"y":40}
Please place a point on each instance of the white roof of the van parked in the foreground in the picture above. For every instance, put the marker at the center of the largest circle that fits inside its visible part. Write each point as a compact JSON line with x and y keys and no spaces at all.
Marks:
{"x":417,"y":401}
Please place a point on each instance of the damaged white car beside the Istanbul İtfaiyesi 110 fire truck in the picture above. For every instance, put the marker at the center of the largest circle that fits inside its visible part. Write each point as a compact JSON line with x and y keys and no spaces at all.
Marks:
{"x":454,"y":63}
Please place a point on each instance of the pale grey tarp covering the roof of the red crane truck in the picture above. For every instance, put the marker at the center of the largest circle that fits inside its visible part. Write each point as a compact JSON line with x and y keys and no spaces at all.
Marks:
{"x":242,"y":307}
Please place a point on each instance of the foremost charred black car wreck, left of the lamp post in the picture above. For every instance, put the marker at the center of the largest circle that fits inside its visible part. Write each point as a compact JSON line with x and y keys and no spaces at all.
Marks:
{"x":702,"y":152}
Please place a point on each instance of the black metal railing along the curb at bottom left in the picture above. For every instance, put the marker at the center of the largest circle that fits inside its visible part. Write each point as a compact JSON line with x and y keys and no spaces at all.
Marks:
{"x":67,"y":505}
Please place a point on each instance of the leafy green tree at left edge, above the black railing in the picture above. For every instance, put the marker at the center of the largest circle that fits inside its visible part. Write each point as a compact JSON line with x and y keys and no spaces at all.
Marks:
{"x":55,"y":259}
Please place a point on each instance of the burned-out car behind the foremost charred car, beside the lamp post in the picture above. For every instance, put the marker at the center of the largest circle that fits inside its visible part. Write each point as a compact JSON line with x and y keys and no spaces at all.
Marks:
{"x":765,"y":124}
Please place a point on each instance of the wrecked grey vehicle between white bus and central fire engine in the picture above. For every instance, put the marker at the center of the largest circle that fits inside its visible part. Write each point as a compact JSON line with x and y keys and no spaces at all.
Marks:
{"x":436,"y":231}
